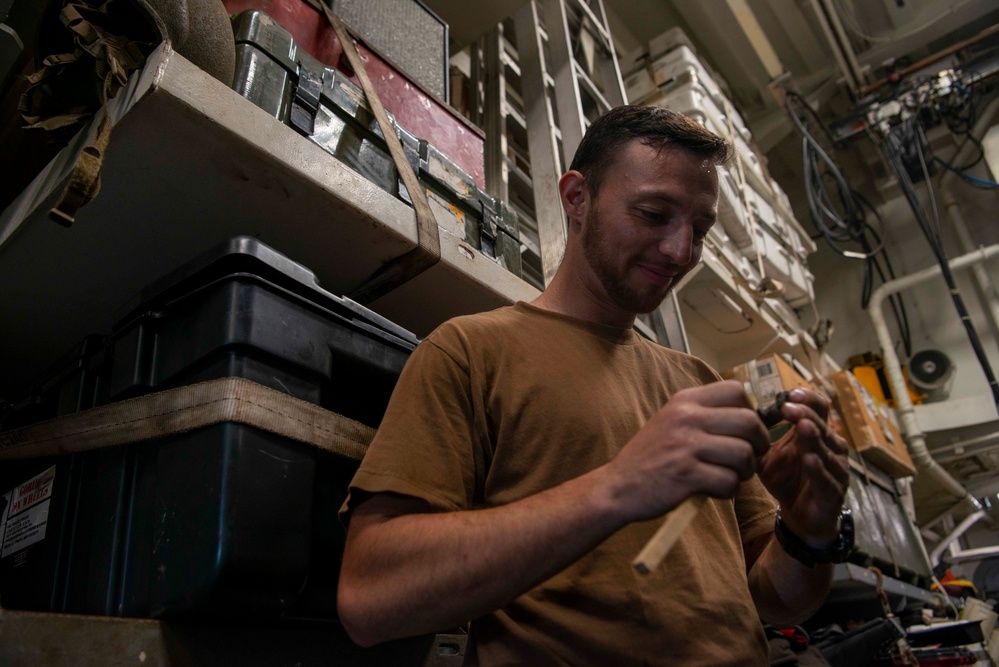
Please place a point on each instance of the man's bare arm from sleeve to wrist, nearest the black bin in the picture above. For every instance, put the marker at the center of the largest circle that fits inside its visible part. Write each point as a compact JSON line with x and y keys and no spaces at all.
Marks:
{"x":417,"y":573}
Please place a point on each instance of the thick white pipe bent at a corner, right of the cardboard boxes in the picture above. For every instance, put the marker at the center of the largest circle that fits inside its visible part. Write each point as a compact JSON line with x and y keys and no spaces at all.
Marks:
{"x":907,"y":415}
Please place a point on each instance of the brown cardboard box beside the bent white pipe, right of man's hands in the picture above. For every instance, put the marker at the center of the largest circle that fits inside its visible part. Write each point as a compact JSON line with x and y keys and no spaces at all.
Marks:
{"x":871,"y":427}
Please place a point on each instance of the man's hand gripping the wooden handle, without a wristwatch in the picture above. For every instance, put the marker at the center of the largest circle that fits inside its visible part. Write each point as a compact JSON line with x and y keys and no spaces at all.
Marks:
{"x":704,"y":440}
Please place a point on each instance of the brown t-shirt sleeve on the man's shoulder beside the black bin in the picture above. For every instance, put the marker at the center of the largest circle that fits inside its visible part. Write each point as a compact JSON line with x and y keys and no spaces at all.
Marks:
{"x":423,"y":447}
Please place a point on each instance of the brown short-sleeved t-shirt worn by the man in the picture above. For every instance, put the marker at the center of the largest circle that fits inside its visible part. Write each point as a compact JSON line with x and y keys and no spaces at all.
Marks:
{"x":496,"y":407}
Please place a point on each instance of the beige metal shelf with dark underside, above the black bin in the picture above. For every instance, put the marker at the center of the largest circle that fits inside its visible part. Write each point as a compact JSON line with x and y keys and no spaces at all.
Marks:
{"x":190,"y":164}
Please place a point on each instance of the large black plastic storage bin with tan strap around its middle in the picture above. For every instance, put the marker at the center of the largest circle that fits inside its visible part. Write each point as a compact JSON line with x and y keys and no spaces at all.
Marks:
{"x":227,"y":520}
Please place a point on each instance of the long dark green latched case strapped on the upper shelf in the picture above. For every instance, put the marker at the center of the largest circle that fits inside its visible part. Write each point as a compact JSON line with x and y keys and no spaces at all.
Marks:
{"x":325,"y":106}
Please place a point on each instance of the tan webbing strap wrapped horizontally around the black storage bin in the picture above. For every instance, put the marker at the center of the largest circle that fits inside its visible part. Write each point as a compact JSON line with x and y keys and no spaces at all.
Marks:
{"x":185,"y":409}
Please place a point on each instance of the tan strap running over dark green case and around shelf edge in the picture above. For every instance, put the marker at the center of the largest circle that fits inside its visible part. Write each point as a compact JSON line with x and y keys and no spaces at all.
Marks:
{"x":428,"y":250}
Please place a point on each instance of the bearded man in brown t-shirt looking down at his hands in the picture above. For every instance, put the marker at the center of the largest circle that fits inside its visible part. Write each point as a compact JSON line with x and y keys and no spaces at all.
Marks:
{"x":529,"y":453}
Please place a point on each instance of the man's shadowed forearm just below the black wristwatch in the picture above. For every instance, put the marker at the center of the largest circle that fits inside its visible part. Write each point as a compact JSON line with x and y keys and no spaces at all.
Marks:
{"x":786,"y":591}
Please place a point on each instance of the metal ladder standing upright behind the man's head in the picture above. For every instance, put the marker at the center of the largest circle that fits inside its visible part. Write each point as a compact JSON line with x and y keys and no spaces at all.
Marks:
{"x":547,"y":72}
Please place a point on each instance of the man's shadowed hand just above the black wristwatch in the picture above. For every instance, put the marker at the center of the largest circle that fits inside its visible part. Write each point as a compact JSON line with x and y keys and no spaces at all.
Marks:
{"x":807,"y":470}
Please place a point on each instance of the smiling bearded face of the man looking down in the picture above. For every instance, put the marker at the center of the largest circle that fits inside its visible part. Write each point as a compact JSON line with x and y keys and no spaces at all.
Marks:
{"x":644,"y":229}
